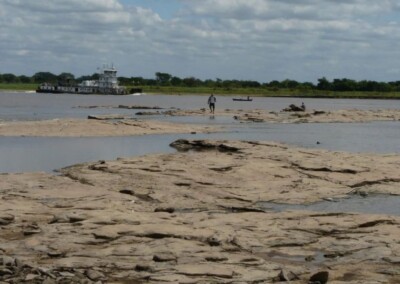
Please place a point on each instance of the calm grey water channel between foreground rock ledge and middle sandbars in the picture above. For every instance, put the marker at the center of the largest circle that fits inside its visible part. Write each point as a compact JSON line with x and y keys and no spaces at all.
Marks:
{"x":19,"y":154}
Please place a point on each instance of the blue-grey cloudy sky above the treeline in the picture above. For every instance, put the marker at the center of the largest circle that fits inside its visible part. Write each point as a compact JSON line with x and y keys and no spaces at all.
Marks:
{"x":260,"y":40}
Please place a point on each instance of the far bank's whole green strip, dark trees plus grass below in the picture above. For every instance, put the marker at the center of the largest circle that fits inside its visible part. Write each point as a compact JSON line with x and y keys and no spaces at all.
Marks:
{"x":165,"y":83}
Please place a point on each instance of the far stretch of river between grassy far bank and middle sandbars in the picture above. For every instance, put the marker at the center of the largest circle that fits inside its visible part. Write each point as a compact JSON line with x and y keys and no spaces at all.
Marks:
{"x":29,"y":106}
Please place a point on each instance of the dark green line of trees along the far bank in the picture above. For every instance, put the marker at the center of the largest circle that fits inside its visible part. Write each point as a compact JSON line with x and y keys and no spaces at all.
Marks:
{"x":165,"y":79}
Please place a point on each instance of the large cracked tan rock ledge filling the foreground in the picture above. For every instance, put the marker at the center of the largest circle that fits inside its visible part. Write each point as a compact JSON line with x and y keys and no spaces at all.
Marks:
{"x":195,"y":217}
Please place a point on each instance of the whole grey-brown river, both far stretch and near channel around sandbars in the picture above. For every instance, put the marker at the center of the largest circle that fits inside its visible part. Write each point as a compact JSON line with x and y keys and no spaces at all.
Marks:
{"x":21,"y":154}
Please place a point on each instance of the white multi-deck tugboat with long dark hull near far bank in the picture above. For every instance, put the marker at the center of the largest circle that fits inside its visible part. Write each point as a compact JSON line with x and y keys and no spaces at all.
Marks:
{"x":106,"y":85}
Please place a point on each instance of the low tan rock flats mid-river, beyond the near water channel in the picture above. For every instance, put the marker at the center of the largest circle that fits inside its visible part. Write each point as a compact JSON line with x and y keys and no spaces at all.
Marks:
{"x":119,"y":125}
